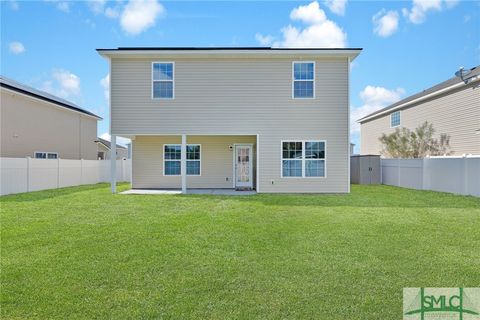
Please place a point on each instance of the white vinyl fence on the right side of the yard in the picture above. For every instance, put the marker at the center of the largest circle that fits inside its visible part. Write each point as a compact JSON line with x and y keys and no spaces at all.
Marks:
{"x":459,"y":175}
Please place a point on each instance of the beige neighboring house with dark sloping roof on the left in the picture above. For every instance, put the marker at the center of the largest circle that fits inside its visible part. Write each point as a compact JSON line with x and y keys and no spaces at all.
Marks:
{"x":39,"y":125}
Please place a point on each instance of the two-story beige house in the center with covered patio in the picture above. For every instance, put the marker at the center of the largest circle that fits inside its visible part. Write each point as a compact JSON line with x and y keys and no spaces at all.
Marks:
{"x":274,"y":120}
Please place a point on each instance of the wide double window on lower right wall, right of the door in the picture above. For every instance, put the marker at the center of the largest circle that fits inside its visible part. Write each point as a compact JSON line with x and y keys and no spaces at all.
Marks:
{"x":303,"y":159}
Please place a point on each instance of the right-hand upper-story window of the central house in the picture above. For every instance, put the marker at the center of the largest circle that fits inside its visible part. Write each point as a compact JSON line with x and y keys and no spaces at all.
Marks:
{"x":303,"y":80}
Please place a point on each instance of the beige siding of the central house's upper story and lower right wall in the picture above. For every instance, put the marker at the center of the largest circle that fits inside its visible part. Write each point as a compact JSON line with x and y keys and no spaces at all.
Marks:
{"x":242,"y":97}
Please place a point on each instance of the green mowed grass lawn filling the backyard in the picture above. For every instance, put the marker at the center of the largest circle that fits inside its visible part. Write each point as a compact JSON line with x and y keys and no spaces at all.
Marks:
{"x":82,"y":253}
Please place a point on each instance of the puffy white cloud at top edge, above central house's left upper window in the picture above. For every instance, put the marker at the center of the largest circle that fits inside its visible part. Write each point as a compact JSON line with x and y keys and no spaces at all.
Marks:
{"x":139,"y":15}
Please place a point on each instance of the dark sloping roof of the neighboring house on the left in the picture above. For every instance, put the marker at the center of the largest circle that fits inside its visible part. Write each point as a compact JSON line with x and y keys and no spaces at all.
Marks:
{"x":29,"y":91}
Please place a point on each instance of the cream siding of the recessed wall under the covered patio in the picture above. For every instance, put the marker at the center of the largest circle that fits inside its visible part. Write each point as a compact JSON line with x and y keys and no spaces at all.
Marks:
{"x":216,"y":161}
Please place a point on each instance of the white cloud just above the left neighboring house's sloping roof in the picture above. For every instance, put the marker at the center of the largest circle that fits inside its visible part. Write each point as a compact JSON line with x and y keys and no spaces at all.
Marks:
{"x":63,"y":84}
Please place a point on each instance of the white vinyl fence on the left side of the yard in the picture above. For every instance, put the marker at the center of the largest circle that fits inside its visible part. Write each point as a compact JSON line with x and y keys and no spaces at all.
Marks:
{"x":28,"y":174}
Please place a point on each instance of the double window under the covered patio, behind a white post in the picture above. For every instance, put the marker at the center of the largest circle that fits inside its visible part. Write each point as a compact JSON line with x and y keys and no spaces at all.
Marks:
{"x":172,"y":157}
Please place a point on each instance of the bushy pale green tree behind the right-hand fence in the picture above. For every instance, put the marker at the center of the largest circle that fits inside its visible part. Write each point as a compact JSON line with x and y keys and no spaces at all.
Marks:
{"x":404,"y":143}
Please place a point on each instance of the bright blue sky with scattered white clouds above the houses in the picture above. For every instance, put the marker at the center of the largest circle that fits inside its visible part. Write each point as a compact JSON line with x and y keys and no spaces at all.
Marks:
{"x":408,"y":45}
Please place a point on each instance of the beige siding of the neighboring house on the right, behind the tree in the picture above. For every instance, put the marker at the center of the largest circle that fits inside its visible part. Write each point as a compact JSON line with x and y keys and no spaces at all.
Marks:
{"x":456,"y":113}
